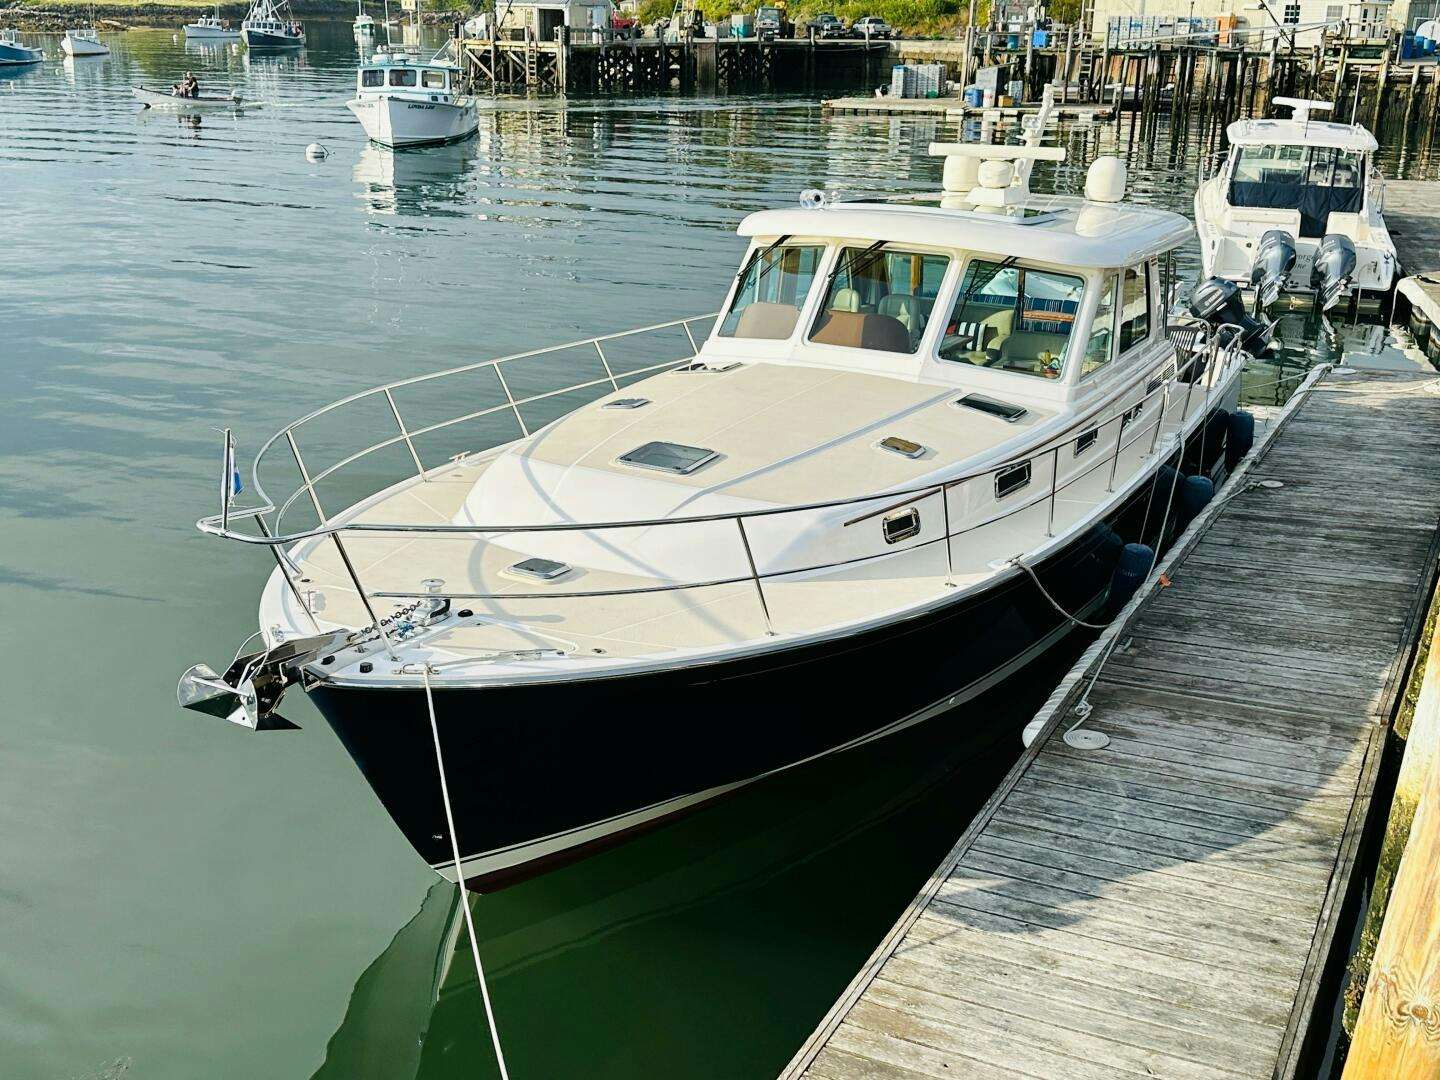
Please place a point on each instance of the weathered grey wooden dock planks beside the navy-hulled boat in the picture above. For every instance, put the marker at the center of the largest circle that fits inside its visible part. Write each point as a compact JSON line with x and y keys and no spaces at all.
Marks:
{"x":1166,"y":906}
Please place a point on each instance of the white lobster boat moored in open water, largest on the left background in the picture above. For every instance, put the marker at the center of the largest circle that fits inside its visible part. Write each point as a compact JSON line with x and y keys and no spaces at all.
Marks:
{"x":402,"y":102}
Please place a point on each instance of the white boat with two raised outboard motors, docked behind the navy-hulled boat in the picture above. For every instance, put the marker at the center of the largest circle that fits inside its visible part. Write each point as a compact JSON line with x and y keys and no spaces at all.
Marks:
{"x":1297,"y":208}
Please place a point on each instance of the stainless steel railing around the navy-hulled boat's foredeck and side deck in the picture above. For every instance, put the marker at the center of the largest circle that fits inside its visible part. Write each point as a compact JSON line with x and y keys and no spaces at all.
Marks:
{"x":1202,"y":355}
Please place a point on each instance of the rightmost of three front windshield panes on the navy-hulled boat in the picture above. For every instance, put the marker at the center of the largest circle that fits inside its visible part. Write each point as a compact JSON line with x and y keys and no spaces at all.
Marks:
{"x":1014,"y":319}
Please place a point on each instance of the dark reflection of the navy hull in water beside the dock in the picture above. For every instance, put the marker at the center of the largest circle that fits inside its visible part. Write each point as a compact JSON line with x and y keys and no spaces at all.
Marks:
{"x":774,"y":896}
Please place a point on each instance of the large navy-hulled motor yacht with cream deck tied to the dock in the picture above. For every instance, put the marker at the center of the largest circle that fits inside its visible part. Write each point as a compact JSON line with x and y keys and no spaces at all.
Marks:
{"x":917,"y":433}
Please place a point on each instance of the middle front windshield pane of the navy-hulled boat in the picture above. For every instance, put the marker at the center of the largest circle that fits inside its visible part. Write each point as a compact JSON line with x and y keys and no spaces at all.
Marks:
{"x":879,"y":300}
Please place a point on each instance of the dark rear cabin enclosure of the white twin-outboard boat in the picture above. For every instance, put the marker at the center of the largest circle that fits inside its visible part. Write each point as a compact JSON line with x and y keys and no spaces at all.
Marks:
{"x":1314,"y":181}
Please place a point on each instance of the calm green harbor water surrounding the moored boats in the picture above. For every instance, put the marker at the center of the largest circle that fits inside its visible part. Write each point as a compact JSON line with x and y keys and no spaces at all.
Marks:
{"x":184,"y":899}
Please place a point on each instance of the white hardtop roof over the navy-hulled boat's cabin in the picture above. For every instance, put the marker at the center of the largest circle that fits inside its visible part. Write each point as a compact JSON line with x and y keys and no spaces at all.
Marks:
{"x":1059,"y":230}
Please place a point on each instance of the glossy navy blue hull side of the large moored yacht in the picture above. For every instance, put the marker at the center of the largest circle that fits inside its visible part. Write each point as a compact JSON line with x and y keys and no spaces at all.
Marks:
{"x":544,"y":761}
